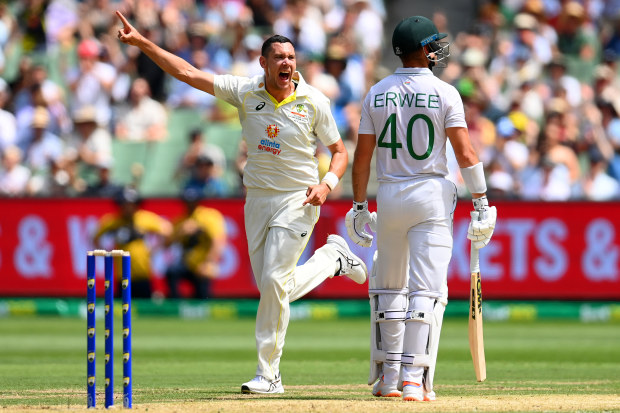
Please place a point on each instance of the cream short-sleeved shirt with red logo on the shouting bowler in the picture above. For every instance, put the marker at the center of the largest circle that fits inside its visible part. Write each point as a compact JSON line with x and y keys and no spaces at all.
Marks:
{"x":281,"y":137}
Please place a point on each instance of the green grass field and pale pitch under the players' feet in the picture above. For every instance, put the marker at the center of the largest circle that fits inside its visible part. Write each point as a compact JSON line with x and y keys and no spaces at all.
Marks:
{"x":198,"y":365}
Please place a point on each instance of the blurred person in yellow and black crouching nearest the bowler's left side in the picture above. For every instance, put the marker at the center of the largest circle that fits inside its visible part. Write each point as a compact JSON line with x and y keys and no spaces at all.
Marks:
{"x":201,"y":233}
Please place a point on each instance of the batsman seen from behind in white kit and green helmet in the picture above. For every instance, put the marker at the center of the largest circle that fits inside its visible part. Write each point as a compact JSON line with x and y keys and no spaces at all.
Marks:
{"x":409,"y":117}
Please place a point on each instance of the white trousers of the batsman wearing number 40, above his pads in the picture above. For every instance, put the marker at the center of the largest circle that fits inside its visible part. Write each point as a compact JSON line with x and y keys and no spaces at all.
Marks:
{"x":414,"y":236}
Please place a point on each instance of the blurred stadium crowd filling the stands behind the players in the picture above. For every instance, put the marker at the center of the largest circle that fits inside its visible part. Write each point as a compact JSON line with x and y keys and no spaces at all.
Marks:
{"x":539,"y":80}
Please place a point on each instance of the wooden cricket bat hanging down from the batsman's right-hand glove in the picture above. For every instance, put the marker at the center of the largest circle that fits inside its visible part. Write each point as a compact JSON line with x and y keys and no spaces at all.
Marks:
{"x":476,"y":341}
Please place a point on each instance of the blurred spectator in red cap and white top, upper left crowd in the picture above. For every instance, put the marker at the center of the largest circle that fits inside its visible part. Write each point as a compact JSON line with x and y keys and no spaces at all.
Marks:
{"x":92,"y":81}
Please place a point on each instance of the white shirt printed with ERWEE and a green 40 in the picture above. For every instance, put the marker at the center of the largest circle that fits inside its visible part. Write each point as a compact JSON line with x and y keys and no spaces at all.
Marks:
{"x":409,"y":112}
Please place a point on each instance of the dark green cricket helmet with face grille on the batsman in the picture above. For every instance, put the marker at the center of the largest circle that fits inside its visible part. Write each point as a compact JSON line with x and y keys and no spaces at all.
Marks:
{"x":416,"y":32}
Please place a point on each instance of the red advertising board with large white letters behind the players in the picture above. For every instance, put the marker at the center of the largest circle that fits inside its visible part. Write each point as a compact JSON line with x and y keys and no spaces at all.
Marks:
{"x":539,"y":250}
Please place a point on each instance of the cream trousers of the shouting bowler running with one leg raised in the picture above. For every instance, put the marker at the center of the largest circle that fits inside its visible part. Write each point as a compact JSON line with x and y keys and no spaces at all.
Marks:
{"x":278,"y":228}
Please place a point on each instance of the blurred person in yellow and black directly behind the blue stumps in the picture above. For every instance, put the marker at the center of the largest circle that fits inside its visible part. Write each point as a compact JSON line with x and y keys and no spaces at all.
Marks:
{"x":129,"y":227}
